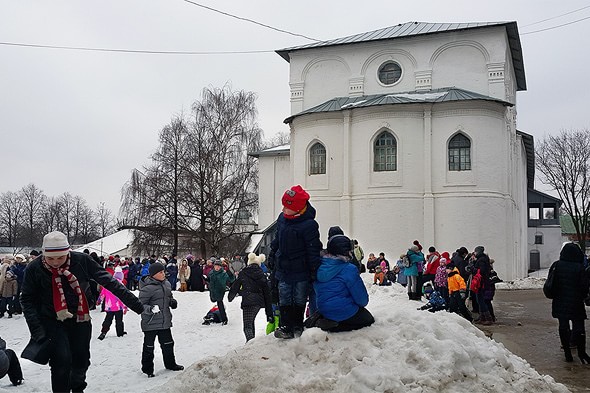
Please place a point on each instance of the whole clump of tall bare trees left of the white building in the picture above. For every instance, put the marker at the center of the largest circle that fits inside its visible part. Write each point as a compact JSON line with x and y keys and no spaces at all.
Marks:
{"x":201,"y":182}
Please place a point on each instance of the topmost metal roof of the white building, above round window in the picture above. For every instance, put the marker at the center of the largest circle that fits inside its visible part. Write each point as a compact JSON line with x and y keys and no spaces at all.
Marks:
{"x":410,"y":29}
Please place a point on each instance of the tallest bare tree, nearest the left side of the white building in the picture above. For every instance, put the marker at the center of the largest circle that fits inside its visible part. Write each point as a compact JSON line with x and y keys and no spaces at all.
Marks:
{"x":224,"y":130}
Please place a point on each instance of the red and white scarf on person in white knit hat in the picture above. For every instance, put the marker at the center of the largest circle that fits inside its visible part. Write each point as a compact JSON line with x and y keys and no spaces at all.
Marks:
{"x":59,"y":300}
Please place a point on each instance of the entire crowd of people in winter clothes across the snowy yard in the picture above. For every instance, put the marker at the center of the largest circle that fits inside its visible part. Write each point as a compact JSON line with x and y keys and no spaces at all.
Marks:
{"x":301,"y":285}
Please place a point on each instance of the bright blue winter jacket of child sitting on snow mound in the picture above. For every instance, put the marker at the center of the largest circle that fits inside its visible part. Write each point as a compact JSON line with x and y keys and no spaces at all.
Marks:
{"x":340,"y":291}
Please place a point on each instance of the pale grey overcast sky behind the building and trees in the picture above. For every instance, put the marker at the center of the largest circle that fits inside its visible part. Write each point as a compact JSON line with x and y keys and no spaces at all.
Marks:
{"x":80,"y":121}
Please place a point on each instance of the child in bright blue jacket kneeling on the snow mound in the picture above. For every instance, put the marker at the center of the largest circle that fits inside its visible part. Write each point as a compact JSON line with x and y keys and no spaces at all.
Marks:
{"x":341,"y":293}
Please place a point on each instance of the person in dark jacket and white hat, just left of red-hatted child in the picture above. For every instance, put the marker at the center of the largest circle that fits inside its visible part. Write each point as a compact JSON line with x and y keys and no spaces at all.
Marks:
{"x":253,"y":287}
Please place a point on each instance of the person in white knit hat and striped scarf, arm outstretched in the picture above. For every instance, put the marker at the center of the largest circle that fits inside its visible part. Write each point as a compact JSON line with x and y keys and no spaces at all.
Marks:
{"x":55,"y":305}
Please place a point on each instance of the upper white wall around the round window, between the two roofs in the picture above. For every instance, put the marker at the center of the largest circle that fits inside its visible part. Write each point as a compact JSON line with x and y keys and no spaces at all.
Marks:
{"x":476,"y":60}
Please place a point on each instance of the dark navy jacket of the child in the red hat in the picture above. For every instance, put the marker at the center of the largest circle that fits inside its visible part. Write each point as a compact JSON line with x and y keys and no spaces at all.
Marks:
{"x":296,"y":247}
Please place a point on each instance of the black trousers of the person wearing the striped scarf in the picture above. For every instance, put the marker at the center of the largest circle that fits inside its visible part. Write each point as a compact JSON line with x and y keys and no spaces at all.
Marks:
{"x":69,"y":357}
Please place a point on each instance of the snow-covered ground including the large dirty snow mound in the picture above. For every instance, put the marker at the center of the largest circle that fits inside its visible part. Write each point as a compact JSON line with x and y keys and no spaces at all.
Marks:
{"x":406,"y":350}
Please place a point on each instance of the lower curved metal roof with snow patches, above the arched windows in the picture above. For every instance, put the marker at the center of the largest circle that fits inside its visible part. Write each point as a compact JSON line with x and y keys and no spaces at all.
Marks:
{"x":445,"y":94}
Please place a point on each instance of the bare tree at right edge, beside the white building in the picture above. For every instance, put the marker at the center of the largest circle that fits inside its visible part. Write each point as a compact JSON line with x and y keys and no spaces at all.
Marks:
{"x":564,"y":162}
